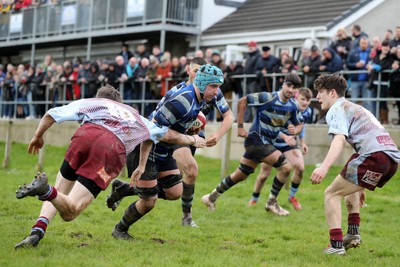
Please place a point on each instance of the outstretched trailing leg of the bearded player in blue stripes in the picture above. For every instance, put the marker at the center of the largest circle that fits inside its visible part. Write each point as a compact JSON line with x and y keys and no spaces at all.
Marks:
{"x":246,"y":167}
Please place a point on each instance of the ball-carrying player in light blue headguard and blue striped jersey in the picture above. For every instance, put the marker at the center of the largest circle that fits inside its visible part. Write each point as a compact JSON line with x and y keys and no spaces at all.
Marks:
{"x":162,"y":179}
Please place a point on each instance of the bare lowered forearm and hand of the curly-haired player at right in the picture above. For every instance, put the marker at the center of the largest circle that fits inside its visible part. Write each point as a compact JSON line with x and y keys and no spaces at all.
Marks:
{"x":335,"y":150}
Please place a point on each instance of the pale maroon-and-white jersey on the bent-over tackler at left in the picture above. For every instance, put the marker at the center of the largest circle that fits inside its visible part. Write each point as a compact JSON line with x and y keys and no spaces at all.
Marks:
{"x":122,"y":120}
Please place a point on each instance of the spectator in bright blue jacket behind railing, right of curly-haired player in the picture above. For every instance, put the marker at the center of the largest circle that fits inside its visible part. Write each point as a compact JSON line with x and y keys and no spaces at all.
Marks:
{"x":357,"y":60}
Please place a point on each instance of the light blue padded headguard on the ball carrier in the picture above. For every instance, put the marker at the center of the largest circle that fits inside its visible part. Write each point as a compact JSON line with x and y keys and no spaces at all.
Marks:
{"x":206,"y":75}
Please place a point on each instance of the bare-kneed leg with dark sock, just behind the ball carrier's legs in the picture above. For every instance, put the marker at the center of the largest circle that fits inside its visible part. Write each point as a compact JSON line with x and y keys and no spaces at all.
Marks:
{"x":188,"y":166}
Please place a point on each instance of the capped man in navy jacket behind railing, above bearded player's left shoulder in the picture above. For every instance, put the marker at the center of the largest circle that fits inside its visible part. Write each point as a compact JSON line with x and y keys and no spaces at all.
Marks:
{"x":266,"y":64}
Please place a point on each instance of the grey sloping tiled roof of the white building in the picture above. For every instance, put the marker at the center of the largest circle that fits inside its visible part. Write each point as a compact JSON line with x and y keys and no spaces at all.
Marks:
{"x":264,"y":15}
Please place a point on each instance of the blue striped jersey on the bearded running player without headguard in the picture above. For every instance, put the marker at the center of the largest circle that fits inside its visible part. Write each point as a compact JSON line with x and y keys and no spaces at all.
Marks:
{"x":272,"y":115}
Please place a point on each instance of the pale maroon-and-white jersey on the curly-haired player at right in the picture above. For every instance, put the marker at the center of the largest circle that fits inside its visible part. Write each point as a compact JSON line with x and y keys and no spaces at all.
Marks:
{"x":362,"y":130}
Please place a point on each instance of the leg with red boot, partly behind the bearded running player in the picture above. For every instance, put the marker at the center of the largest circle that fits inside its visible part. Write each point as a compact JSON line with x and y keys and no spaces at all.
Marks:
{"x":295,"y":157}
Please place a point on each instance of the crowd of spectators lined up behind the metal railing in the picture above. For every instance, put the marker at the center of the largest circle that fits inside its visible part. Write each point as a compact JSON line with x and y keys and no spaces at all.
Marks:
{"x":372,"y":66}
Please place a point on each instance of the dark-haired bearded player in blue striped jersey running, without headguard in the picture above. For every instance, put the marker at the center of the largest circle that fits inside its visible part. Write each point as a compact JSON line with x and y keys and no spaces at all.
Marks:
{"x":274,"y":111}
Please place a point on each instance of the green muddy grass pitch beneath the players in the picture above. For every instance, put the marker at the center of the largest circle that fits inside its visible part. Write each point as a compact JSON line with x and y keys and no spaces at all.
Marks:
{"x":233,"y":235}
